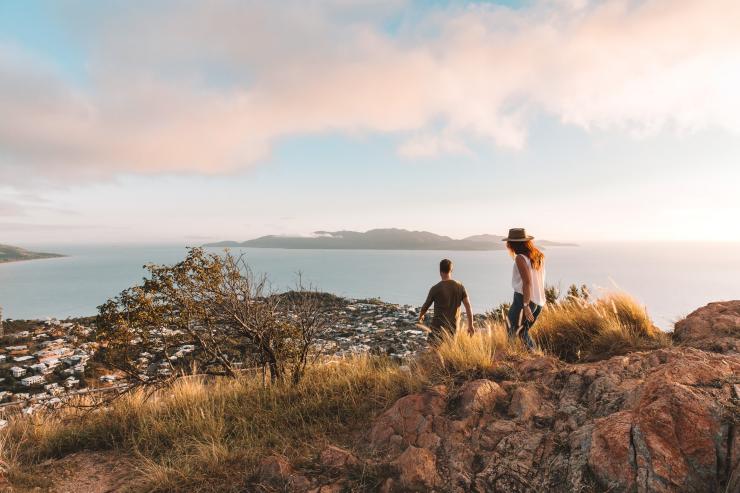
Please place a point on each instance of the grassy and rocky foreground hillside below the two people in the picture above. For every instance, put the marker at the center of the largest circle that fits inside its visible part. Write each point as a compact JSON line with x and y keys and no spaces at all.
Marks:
{"x":476,"y":415}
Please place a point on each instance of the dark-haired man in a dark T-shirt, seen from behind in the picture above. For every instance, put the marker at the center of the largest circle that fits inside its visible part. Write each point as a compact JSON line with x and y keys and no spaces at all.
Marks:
{"x":447,"y":295}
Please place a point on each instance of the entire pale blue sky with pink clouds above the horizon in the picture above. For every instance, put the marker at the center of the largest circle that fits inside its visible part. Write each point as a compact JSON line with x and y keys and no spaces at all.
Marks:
{"x":188,"y":121}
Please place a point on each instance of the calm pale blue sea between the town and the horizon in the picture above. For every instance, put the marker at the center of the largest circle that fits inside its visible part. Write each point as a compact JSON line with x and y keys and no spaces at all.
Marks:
{"x":670,"y":279}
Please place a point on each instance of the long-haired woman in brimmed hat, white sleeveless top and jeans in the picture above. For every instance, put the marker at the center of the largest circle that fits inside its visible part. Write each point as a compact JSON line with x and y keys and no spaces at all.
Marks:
{"x":528,"y":281}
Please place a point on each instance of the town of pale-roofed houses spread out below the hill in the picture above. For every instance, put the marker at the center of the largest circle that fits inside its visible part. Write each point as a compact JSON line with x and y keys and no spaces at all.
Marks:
{"x":45,"y":363}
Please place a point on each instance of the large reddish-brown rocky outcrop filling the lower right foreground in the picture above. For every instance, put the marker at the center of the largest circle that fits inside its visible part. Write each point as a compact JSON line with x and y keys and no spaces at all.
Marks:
{"x":655,"y":421}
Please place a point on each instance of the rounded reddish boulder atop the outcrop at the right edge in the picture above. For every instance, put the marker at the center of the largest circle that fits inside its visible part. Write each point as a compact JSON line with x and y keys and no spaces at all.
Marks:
{"x":715,"y":327}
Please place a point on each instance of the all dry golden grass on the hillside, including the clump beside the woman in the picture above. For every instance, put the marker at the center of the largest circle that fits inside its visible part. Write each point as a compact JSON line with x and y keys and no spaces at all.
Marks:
{"x":209,"y":433}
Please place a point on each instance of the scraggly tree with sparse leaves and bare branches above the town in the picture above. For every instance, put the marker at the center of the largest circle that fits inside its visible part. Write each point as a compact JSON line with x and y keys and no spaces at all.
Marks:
{"x":209,"y":314}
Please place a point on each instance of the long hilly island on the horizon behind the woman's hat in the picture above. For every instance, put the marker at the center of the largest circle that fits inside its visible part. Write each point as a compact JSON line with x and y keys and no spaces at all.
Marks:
{"x":378,"y":239}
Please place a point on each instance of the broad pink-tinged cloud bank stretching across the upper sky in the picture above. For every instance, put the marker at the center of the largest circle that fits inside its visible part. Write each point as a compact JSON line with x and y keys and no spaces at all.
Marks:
{"x":195,"y":87}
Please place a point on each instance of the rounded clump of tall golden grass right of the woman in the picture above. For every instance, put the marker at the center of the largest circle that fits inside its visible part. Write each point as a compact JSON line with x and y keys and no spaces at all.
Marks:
{"x":579,"y":330}
